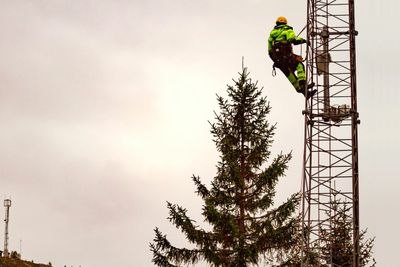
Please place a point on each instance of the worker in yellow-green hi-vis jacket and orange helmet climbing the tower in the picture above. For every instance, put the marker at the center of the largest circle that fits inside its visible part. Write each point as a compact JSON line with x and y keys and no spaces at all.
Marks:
{"x":280,"y":51}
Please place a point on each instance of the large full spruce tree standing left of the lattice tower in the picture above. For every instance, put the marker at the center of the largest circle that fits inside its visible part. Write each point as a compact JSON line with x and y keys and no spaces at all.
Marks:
{"x":246,"y":226}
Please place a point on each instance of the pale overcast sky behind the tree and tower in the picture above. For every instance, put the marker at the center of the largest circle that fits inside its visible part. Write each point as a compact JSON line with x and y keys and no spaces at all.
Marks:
{"x":104,"y":110}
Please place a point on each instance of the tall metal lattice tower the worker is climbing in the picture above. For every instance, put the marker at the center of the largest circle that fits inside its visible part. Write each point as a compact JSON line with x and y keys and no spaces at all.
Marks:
{"x":330,"y":175}
